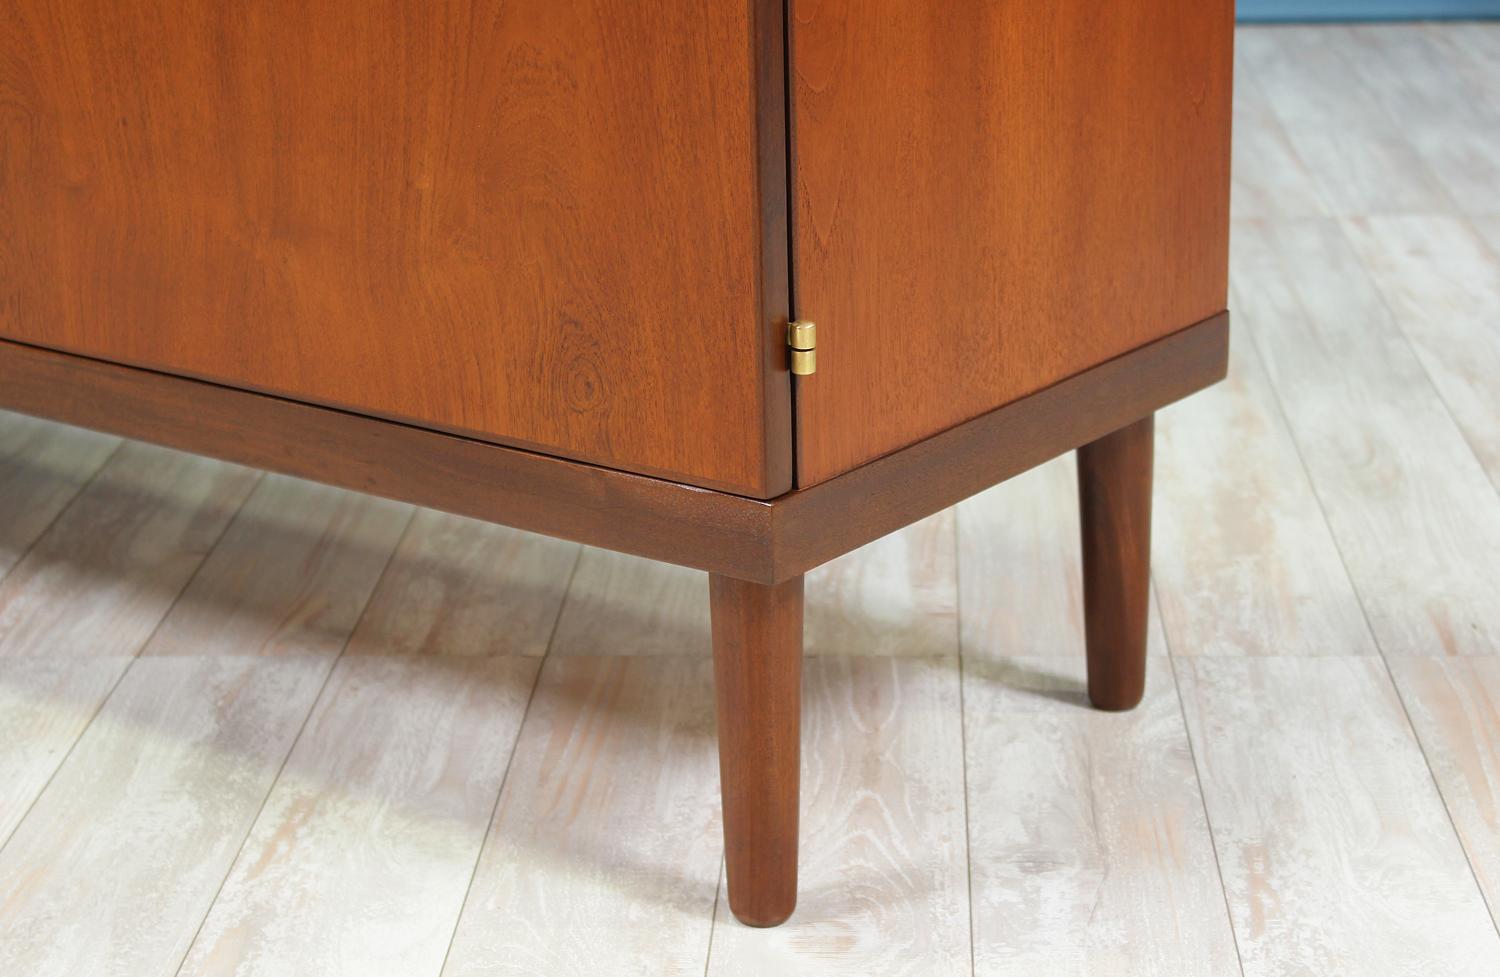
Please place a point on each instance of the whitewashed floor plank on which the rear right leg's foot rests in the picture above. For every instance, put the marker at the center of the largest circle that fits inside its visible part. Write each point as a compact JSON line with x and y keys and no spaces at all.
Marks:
{"x":1090,"y":849}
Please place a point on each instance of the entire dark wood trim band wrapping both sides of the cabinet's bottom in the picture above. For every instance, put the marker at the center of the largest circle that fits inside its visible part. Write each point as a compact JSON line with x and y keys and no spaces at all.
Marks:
{"x":749,"y":540}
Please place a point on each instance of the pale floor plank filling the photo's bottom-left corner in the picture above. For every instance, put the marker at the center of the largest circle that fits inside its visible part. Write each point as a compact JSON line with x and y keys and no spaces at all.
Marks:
{"x":157,"y":798}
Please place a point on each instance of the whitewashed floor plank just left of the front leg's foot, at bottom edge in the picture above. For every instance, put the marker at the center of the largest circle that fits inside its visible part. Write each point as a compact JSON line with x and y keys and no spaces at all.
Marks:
{"x":605,"y":849}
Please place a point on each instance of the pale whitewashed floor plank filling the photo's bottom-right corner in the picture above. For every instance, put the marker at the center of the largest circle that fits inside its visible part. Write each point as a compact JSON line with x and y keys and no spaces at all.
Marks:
{"x":1336,"y":850}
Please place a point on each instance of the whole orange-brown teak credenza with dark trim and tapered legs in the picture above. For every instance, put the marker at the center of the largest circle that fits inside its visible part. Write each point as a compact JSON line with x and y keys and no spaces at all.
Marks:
{"x":734,"y":286}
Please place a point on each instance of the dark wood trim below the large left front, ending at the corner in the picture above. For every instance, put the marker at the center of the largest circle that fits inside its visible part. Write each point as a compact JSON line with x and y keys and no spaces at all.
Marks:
{"x":526,"y":490}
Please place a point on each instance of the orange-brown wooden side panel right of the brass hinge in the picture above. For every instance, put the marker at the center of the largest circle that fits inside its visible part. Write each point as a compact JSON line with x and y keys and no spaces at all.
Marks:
{"x":992,"y":196}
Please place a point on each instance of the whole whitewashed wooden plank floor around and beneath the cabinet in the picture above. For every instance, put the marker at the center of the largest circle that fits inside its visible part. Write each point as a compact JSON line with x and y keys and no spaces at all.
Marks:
{"x":251,"y":726}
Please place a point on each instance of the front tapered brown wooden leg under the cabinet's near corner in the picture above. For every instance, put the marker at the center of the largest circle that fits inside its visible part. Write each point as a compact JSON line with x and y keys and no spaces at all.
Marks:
{"x":758,"y":673}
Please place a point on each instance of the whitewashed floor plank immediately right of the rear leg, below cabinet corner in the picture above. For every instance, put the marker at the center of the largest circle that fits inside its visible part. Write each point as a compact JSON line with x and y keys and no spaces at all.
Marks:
{"x":1244,"y":562}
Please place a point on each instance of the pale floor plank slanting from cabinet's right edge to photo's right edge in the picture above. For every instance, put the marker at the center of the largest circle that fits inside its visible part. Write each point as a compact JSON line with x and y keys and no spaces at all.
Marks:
{"x":1391,"y":469}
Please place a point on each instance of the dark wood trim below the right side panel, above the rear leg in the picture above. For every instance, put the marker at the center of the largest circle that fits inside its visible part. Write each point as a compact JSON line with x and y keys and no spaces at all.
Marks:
{"x":829,"y":520}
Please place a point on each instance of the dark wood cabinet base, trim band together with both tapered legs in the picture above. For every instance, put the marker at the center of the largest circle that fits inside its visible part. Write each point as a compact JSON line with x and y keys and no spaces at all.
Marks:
{"x":757,"y":552}
